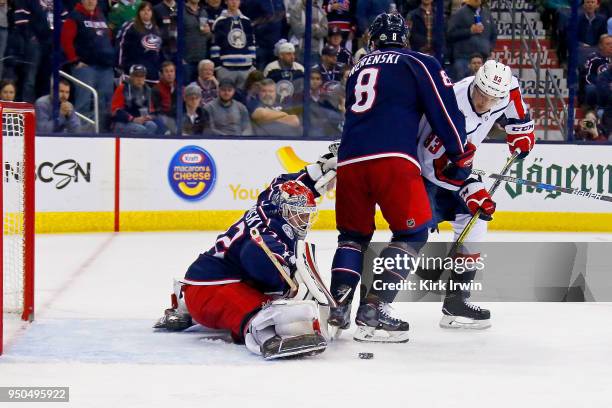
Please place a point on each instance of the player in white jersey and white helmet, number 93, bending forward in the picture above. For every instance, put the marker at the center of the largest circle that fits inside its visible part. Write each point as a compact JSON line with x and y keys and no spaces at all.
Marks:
{"x":492,"y":95}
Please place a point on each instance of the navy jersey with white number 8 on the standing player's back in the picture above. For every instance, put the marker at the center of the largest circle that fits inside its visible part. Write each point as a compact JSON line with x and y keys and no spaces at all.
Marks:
{"x":387,"y":93}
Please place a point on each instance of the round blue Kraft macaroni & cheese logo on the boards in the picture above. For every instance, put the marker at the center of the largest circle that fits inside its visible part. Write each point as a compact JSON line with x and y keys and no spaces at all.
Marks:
{"x":192,"y":173}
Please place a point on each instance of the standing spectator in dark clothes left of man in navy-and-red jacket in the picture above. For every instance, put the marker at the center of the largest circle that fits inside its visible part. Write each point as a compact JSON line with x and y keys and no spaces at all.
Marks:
{"x":34,"y":26}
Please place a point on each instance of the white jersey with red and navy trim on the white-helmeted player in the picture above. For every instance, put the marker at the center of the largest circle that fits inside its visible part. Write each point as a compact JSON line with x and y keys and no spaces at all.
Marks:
{"x":477,"y":127}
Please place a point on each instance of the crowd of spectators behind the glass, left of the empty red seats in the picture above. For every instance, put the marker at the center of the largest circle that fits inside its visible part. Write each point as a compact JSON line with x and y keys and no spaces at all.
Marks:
{"x":242,"y":68}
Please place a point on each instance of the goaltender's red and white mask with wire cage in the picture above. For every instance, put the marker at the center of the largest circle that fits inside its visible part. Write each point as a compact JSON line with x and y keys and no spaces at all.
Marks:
{"x":297,"y":206}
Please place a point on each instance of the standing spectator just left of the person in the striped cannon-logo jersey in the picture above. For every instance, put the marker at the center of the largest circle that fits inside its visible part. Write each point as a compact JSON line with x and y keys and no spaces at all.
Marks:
{"x":197,"y":36}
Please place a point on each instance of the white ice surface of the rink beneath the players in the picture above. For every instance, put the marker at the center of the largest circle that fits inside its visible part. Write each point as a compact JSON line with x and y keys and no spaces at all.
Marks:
{"x":98,"y":295}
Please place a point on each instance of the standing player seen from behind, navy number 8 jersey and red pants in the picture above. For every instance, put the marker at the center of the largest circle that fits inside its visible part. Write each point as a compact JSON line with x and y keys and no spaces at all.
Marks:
{"x":388,"y":91}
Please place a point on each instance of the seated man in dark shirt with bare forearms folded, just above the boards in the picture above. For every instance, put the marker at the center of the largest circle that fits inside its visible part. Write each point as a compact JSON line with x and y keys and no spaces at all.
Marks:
{"x":268,"y":116}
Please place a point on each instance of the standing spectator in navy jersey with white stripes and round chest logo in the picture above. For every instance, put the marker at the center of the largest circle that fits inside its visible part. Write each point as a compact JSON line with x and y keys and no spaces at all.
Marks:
{"x":234,"y":49}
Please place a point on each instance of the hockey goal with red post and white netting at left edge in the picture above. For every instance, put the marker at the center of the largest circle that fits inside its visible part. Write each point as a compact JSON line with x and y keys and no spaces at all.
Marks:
{"x":17,"y":204}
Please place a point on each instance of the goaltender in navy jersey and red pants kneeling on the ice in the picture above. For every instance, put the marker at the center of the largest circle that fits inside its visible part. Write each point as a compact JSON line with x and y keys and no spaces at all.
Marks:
{"x":235,"y":286}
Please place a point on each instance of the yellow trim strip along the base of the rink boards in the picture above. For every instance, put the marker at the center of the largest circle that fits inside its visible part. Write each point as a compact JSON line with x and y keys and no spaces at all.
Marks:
{"x":61,"y":222}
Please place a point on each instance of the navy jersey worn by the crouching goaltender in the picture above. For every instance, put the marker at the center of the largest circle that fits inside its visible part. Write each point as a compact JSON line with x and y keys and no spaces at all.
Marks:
{"x":236,"y":257}
